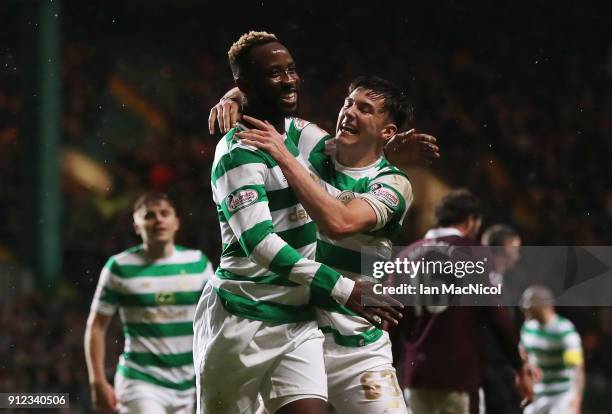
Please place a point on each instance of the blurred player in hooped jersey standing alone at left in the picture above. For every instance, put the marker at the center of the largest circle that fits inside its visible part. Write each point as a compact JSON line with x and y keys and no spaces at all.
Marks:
{"x":155,"y":286}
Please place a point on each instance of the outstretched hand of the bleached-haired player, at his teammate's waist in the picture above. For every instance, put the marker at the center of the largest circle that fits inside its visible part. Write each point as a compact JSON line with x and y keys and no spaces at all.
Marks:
{"x":379,"y":308}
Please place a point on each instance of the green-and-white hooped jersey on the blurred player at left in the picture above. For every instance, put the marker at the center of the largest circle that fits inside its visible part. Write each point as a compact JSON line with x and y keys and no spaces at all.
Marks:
{"x":156,"y":302}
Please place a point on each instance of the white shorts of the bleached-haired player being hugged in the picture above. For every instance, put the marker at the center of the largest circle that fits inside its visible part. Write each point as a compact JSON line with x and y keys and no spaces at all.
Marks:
{"x":237,"y":358}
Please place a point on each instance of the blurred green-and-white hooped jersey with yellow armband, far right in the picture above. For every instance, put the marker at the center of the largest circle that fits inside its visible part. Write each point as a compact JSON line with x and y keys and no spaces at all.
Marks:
{"x":556,"y":349}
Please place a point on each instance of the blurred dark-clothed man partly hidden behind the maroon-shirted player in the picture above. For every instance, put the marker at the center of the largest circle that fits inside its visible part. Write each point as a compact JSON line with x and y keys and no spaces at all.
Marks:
{"x":500,"y":395}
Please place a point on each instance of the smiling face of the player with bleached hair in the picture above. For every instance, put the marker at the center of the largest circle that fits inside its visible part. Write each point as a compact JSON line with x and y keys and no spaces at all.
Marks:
{"x":273,"y":79}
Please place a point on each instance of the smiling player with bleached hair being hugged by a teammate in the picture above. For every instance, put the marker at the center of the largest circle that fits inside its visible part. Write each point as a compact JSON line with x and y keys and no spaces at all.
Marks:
{"x":255,"y":330}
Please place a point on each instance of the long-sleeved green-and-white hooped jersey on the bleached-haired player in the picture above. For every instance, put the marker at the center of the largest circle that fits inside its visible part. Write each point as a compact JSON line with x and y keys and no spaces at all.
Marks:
{"x":266,"y":271}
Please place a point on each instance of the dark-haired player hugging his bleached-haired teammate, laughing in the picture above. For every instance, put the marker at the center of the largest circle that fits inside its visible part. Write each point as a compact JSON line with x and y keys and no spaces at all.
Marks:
{"x":358,"y":200}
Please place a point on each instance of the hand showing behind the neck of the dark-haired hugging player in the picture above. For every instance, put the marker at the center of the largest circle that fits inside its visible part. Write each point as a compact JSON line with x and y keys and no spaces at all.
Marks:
{"x":411,"y":147}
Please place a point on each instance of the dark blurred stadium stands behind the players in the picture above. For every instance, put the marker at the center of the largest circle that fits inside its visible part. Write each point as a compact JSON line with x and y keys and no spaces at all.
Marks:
{"x":101,"y":100}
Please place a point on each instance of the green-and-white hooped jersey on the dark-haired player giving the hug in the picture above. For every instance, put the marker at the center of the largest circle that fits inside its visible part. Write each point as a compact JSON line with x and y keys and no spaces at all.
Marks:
{"x":389,"y":192}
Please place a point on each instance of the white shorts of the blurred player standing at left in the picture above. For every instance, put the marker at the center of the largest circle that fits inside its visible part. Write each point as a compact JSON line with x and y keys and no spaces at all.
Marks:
{"x":135,"y":396}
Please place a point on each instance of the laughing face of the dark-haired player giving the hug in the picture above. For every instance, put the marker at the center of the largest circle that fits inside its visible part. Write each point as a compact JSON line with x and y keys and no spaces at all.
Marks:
{"x":363,"y":120}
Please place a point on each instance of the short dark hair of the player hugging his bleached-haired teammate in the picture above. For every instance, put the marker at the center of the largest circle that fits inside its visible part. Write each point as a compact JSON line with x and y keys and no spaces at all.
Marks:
{"x":395,"y":101}
